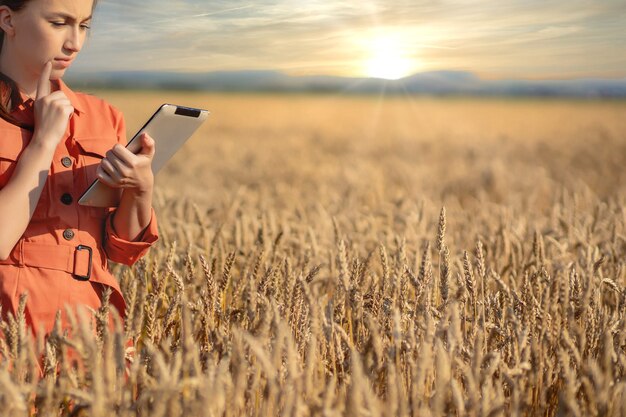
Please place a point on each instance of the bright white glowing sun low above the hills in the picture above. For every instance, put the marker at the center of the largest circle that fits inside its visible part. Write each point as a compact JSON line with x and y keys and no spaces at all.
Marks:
{"x":388,"y":58}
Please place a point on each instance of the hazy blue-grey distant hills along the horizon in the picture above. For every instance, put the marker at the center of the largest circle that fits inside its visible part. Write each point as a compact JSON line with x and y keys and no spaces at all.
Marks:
{"x":431,"y":83}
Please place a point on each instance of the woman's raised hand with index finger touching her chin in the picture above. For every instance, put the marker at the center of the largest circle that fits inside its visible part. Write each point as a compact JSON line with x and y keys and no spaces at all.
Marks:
{"x":52,"y":111}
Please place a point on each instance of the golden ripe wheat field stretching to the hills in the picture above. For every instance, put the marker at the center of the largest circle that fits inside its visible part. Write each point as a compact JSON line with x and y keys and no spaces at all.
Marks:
{"x":330,"y":255}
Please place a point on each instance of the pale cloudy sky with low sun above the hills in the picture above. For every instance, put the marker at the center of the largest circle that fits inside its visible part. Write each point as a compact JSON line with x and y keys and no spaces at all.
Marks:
{"x":529,"y":39}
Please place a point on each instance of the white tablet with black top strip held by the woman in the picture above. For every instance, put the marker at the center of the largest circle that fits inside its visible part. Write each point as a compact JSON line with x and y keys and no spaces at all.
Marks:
{"x":170,"y":127}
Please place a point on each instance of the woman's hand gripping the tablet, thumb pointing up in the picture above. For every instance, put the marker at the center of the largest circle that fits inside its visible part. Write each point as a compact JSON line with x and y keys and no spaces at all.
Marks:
{"x":123,"y":169}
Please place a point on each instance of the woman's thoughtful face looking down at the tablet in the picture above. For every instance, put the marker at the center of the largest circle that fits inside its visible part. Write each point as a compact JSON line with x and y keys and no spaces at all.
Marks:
{"x":47,"y":30}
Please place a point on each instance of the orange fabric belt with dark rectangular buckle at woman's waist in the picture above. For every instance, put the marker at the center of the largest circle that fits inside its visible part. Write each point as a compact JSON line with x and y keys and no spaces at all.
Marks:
{"x":77,"y":260}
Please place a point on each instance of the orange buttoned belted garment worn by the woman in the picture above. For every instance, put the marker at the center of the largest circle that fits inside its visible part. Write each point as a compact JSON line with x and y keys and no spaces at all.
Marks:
{"x":51,"y":259}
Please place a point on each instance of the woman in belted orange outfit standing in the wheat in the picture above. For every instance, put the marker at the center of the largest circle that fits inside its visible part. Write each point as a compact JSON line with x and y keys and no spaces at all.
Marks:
{"x":53,"y":144}
